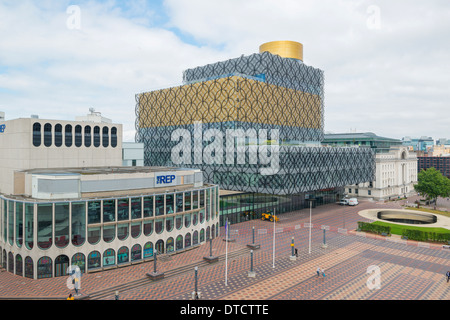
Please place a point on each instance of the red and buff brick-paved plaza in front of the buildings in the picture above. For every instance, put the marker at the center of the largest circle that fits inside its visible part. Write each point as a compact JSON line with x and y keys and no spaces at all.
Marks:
{"x":408,"y":270}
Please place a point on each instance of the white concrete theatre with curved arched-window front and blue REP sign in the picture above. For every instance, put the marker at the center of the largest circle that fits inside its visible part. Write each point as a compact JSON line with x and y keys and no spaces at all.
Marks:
{"x":66,"y":200}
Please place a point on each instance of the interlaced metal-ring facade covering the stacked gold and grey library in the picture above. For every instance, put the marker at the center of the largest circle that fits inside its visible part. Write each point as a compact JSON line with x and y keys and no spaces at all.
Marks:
{"x":268,"y":98}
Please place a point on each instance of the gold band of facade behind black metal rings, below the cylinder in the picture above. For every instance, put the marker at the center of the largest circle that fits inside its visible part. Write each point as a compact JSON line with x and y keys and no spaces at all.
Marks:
{"x":230,"y":99}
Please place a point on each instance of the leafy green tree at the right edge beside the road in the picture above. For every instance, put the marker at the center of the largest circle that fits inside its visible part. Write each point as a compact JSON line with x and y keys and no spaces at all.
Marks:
{"x":433,"y":184}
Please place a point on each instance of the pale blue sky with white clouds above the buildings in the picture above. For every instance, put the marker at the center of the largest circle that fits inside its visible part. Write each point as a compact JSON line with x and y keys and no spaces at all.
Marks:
{"x":386,"y":62}
